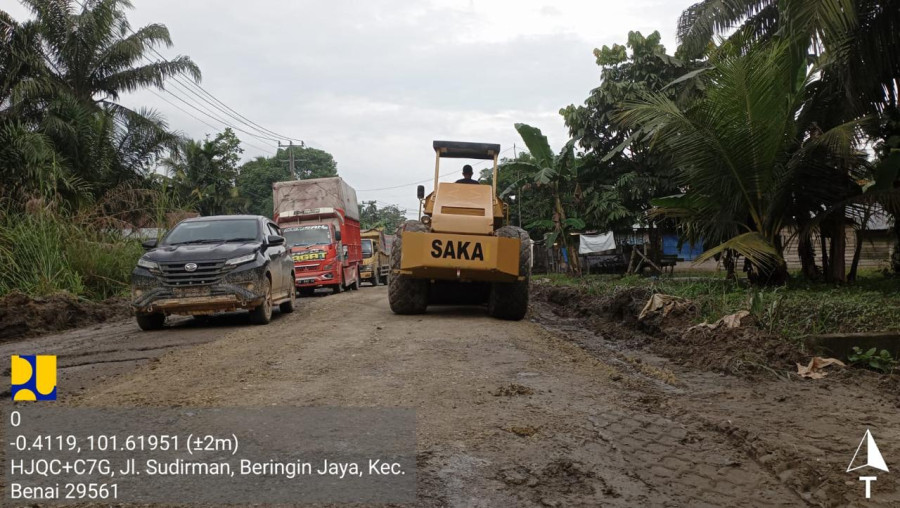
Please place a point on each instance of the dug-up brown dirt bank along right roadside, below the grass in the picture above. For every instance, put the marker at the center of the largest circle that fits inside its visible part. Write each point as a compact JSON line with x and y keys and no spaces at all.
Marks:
{"x":741,"y":350}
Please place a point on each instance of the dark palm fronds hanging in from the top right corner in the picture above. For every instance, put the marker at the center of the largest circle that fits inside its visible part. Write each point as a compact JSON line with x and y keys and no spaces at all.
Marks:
{"x":857,"y":39}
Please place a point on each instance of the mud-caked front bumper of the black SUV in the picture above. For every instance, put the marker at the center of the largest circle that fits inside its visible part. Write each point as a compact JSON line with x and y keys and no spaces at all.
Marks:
{"x":238,"y":290}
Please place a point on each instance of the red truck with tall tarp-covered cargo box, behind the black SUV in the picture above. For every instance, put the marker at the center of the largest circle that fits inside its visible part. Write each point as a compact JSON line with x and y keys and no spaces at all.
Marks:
{"x":320,"y":221}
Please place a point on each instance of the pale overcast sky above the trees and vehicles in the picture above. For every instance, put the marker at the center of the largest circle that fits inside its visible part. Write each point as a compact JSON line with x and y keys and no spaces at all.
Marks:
{"x":374,"y":82}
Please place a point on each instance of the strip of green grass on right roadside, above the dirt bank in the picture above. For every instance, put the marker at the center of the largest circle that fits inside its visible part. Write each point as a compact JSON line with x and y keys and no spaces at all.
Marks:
{"x":794,"y":311}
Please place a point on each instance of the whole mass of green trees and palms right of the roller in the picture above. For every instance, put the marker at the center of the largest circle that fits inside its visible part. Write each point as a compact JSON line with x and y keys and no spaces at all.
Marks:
{"x":748,"y":144}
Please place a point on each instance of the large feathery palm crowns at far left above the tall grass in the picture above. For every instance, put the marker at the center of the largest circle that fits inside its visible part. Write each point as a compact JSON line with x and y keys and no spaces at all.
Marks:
{"x":62,"y":134}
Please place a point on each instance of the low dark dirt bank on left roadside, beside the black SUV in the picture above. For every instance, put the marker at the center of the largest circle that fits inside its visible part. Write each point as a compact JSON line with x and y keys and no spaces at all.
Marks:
{"x":22,"y":316}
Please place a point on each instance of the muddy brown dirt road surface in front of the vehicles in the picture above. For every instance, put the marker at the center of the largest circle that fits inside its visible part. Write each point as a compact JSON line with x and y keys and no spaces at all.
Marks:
{"x":530,"y":413}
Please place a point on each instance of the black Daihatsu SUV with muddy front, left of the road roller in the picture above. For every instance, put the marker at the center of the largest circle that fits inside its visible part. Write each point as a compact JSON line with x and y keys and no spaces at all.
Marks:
{"x":213,"y":264}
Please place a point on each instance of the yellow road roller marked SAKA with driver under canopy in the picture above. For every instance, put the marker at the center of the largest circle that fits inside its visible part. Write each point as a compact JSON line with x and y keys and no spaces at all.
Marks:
{"x":460,"y":251}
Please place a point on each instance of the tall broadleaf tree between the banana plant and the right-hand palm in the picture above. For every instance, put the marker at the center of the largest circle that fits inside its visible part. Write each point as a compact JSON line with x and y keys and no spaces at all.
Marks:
{"x":622,"y":170}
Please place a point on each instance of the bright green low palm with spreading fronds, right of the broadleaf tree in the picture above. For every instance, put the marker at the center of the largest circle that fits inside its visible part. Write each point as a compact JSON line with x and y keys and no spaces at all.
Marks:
{"x":743,"y":153}
